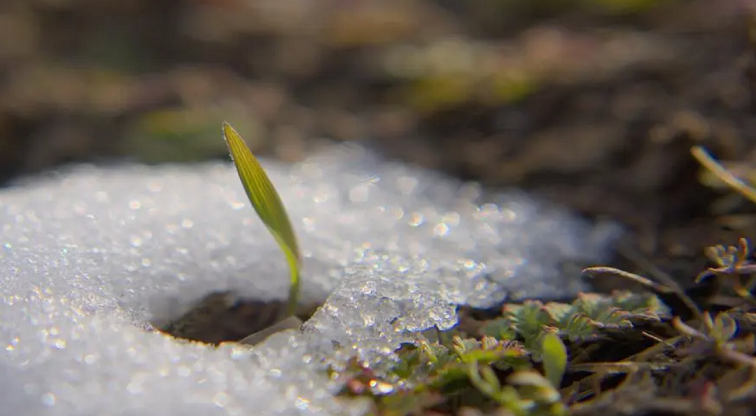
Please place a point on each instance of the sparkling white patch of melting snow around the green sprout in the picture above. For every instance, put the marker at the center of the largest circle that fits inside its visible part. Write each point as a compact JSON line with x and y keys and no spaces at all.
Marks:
{"x":91,"y":257}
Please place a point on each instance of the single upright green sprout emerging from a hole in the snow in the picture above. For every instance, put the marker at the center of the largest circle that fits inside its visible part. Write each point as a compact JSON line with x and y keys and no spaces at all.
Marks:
{"x":267,"y":203}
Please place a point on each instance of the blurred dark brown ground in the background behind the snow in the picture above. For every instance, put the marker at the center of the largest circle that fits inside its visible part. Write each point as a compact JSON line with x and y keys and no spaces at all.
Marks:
{"x":589,"y":103}
